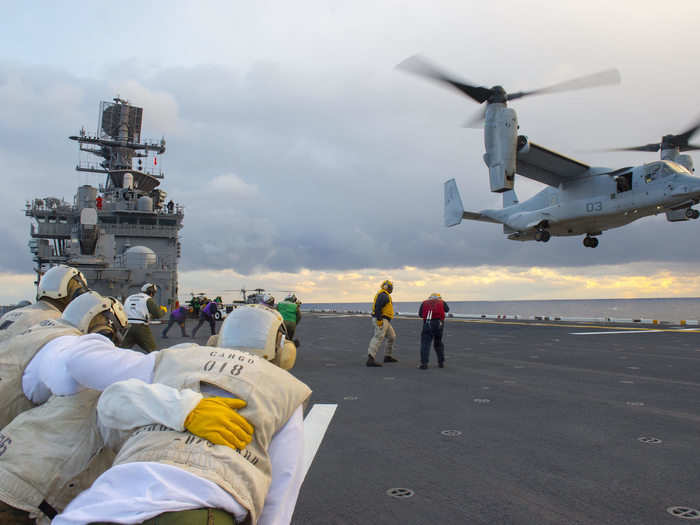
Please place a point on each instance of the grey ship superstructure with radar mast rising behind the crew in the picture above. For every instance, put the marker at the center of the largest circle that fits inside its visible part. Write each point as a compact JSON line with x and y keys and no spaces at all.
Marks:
{"x":124,"y":232}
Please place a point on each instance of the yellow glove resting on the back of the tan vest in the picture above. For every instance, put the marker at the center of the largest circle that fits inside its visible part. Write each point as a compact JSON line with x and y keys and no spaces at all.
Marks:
{"x":215,"y":419}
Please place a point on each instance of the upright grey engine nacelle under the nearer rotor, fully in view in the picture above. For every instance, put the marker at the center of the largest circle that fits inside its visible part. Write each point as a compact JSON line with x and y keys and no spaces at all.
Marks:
{"x":500,"y":139}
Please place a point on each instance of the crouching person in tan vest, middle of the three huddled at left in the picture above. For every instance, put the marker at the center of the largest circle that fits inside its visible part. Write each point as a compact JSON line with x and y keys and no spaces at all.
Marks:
{"x":44,"y":448}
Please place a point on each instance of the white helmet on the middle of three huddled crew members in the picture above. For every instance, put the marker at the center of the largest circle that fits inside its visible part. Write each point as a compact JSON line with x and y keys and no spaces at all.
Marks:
{"x":92,"y":313}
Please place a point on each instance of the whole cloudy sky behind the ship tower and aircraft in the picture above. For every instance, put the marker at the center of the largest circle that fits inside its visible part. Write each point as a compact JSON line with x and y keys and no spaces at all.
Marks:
{"x":306,"y":161}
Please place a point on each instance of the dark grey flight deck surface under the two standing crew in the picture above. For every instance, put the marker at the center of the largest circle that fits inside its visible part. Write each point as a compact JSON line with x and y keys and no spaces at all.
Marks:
{"x":550,"y":424}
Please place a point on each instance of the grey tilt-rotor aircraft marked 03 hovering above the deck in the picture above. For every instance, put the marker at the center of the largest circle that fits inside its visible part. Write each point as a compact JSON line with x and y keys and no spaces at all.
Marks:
{"x":579,"y":199}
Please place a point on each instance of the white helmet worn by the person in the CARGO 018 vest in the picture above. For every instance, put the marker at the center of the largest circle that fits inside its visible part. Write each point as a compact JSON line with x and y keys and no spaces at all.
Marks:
{"x":260,"y":331}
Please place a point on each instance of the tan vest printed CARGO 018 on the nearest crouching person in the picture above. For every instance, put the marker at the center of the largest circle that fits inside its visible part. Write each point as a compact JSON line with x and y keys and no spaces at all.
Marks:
{"x":272,"y":395}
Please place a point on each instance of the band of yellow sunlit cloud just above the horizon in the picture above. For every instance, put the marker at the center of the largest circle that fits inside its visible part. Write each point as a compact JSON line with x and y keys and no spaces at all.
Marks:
{"x":462,"y":283}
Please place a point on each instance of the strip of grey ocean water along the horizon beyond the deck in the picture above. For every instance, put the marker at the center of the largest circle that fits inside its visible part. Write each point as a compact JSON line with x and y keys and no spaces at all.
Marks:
{"x":660,"y":309}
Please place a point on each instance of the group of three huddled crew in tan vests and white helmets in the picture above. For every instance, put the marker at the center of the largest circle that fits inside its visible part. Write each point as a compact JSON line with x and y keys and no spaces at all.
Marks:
{"x":94,"y":433}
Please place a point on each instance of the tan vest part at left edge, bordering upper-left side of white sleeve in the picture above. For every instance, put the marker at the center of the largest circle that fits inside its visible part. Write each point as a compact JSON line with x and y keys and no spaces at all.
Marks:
{"x":15,"y":355}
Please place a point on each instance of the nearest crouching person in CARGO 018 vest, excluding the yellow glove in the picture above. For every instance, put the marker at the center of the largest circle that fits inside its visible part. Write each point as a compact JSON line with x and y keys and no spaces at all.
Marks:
{"x":160,"y":469}
